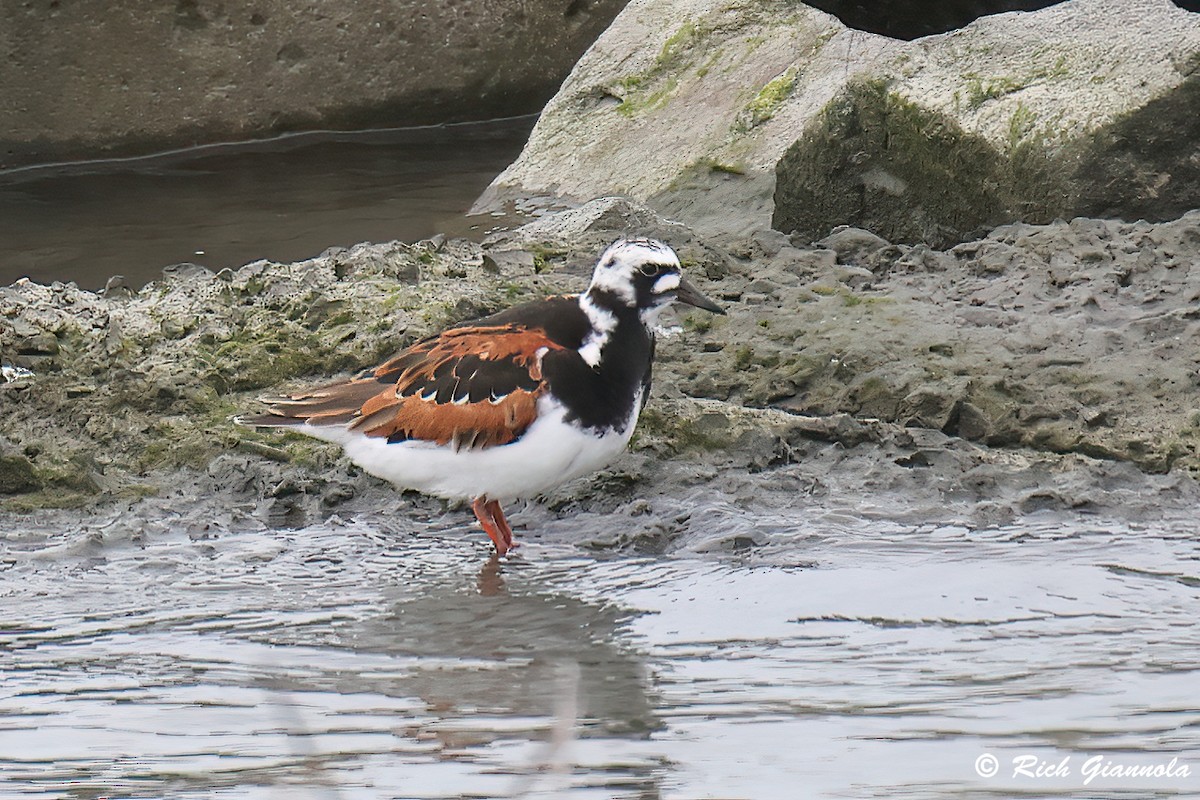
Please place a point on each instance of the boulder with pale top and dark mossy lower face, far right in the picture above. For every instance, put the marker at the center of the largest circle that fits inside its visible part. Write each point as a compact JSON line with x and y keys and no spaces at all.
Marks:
{"x":1085,"y":109}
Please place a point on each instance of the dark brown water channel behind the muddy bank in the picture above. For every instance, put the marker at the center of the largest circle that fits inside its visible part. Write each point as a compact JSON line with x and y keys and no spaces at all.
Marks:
{"x":285,"y":201}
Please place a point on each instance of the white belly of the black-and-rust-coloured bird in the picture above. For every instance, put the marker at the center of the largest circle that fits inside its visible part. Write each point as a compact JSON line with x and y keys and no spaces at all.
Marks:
{"x":551,"y":453}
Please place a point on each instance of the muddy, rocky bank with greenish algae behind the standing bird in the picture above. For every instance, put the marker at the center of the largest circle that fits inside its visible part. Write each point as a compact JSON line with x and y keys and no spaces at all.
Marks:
{"x":1041,"y":368}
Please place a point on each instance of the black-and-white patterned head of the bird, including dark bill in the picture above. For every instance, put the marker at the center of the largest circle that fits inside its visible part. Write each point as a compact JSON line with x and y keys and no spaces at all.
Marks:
{"x":644,"y":274}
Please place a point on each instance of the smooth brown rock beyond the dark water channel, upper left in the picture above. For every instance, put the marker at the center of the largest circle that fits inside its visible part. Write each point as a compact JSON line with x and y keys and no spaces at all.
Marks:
{"x":87,"y":80}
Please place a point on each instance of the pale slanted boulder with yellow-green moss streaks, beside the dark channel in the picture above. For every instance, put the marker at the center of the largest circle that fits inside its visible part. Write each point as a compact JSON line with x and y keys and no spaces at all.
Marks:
{"x":689,"y":104}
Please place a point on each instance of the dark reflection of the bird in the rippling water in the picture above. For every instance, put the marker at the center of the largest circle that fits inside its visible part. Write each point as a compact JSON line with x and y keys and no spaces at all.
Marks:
{"x":506,"y":659}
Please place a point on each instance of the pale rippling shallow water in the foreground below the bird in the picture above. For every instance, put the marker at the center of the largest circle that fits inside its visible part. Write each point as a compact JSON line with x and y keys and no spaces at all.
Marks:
{"x":839,"y":658}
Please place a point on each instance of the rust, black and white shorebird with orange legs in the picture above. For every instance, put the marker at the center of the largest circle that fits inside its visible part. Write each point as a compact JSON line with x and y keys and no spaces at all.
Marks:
{"x":513,"y":405}
